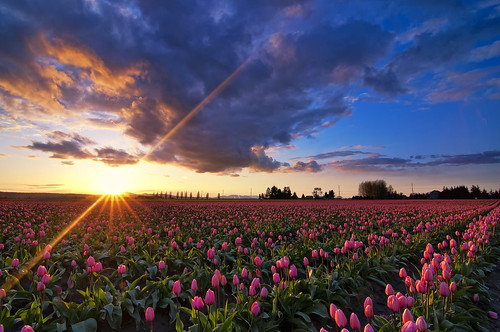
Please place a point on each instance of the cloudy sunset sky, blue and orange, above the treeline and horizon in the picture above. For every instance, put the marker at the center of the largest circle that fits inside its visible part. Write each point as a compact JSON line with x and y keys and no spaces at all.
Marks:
{"x":232,"y":97}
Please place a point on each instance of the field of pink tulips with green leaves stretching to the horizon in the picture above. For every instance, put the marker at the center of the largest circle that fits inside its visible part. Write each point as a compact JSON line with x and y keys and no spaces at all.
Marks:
{"x":120,"y":264}
